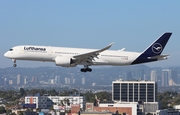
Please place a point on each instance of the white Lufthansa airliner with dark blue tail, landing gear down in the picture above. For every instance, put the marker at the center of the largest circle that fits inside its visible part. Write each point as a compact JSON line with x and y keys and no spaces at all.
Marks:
{"x":71,"y":57}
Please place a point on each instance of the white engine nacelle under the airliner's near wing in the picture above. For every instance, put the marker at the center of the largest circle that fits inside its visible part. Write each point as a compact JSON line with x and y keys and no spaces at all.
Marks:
{"x":64,"y":62}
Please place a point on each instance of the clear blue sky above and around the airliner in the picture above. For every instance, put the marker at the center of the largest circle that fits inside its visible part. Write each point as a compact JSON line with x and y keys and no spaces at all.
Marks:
{"x":133,"y":25}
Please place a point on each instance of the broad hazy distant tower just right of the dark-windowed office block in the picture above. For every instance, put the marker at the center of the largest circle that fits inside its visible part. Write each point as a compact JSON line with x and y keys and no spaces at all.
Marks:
{"x":166,"y":77}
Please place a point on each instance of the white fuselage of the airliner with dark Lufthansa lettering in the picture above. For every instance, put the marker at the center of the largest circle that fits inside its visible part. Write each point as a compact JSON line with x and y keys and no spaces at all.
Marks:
{"x":48,"y":53}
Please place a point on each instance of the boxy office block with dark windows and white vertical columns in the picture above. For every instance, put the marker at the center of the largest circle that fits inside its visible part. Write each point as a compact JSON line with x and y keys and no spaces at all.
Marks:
{"x":134,"y":91}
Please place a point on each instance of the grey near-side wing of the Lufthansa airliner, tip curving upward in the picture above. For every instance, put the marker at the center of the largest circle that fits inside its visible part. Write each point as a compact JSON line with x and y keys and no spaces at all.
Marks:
{"x":88,"y":57}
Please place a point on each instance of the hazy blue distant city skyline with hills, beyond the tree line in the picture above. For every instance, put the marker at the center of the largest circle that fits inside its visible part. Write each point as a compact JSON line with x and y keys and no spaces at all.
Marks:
{"x":53,"y":78}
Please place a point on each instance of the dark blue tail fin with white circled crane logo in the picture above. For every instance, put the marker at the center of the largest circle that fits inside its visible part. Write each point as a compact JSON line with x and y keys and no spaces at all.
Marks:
{"x":154,"y":49}
